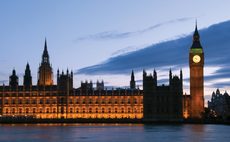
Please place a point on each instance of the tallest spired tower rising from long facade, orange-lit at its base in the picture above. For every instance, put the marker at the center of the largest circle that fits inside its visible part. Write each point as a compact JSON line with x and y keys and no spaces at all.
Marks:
{"x":45,"y":72}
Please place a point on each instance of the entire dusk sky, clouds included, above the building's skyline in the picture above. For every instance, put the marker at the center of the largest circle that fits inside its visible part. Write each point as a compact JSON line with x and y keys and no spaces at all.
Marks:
{"x":88,"y":35}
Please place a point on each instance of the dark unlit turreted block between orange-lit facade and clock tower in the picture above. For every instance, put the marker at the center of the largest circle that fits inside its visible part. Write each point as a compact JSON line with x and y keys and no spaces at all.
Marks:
{"x":162,"y":103}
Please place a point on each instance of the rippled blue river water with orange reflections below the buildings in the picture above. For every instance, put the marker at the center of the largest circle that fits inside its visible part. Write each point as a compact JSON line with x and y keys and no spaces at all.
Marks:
{"x":113,"y":133}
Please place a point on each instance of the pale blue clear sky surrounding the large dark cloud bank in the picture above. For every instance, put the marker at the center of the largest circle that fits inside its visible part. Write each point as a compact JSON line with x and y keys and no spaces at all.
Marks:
{"x":83,"y":33}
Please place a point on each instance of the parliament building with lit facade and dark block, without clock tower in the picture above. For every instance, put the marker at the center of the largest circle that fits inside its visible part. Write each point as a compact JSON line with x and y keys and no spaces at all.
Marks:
{"x":61,"y":100}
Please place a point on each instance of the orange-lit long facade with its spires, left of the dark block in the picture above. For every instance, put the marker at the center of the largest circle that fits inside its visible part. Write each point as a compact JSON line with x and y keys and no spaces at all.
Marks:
{"x":46,"y":100}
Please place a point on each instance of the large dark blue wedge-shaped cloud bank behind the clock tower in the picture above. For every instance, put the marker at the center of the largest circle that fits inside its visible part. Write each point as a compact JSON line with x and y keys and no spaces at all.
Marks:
{"x":173,"y":53}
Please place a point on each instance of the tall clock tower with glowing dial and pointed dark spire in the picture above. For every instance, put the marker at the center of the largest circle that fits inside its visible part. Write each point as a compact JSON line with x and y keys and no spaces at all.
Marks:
{"x":196,"y":65}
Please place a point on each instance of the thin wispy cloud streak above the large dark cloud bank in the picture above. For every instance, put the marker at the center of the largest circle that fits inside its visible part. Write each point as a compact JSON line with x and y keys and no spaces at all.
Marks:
{"x":107,"y":35}
